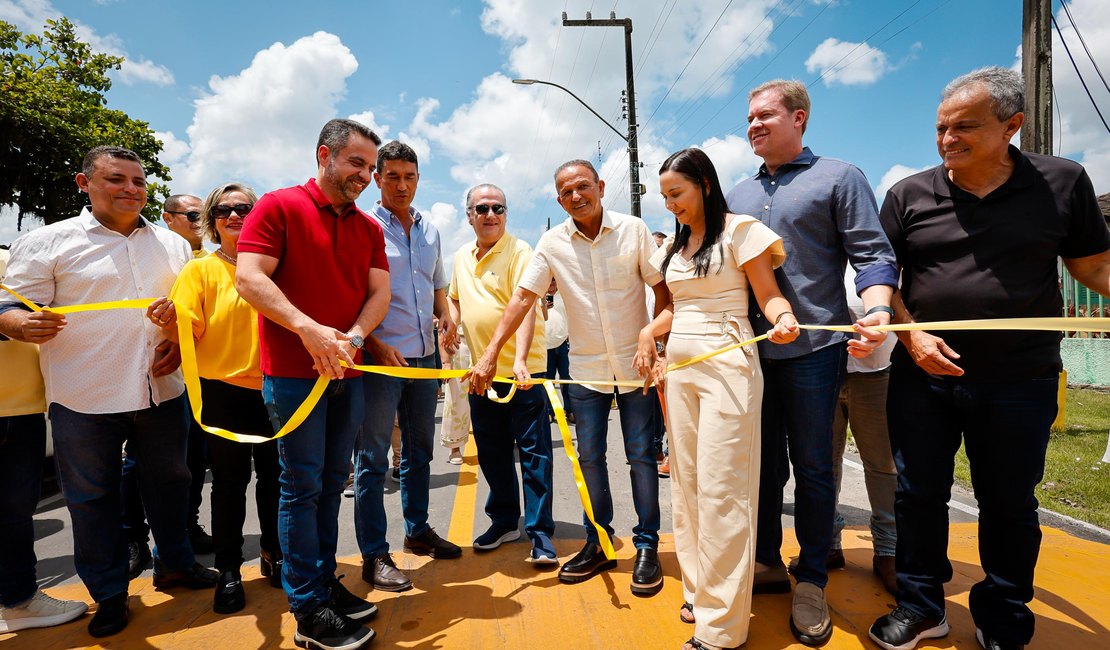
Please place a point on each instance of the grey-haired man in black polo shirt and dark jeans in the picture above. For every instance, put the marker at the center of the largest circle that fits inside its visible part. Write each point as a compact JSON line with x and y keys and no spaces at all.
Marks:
{"x":978,"y":238}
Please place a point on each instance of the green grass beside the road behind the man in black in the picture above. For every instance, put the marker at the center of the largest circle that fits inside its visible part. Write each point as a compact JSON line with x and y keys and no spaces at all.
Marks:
{"x":1077,"y":483}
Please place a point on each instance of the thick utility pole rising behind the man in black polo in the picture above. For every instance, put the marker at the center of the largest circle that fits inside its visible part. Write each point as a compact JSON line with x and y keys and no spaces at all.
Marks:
{"x":1037,"y":69}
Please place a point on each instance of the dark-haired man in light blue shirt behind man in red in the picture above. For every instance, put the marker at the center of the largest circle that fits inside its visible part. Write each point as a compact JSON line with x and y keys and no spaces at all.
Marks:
{"x":406,"y":338}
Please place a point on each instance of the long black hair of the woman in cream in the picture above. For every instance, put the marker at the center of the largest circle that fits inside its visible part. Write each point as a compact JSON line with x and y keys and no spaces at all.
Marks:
{"x":697,"y":167}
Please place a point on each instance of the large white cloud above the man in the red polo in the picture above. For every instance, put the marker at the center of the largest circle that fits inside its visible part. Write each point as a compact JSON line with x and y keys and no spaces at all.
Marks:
{"x":261,"y":125}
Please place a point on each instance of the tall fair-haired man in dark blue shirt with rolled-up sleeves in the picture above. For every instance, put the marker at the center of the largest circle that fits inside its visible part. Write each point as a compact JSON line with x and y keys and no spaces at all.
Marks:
{"x":826,"y":215}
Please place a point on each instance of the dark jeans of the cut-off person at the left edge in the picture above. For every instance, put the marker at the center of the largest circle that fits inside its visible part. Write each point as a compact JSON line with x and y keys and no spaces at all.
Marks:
{"x":23,"y":452}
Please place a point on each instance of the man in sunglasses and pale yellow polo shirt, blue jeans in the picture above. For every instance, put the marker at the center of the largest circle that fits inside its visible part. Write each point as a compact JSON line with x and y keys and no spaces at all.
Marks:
{"x":487,"y":275}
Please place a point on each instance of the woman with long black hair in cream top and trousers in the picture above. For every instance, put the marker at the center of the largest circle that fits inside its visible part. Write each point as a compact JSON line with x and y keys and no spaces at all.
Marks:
{"x":714,"y":405}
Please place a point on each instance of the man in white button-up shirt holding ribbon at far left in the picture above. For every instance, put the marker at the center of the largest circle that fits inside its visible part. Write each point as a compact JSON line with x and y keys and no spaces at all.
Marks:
{"x":104,"y":379}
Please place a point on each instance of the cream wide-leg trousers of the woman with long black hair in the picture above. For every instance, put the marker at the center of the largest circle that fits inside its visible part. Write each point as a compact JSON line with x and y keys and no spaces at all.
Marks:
{"x":713,"y":421}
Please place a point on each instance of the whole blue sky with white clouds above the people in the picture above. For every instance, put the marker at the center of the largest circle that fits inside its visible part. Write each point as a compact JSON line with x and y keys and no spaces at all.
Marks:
{"x":239,"y":90}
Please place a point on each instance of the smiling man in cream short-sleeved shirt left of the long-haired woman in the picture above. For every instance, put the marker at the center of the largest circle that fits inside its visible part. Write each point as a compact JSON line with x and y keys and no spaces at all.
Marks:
{"x":606,"y":312}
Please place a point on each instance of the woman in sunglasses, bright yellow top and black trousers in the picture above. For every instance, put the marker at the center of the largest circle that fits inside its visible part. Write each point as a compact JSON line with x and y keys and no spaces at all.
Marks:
{"x":226,"y":331}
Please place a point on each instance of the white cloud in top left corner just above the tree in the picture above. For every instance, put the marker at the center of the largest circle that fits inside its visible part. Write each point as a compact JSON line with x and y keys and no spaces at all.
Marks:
{"x":32,"y":16}
